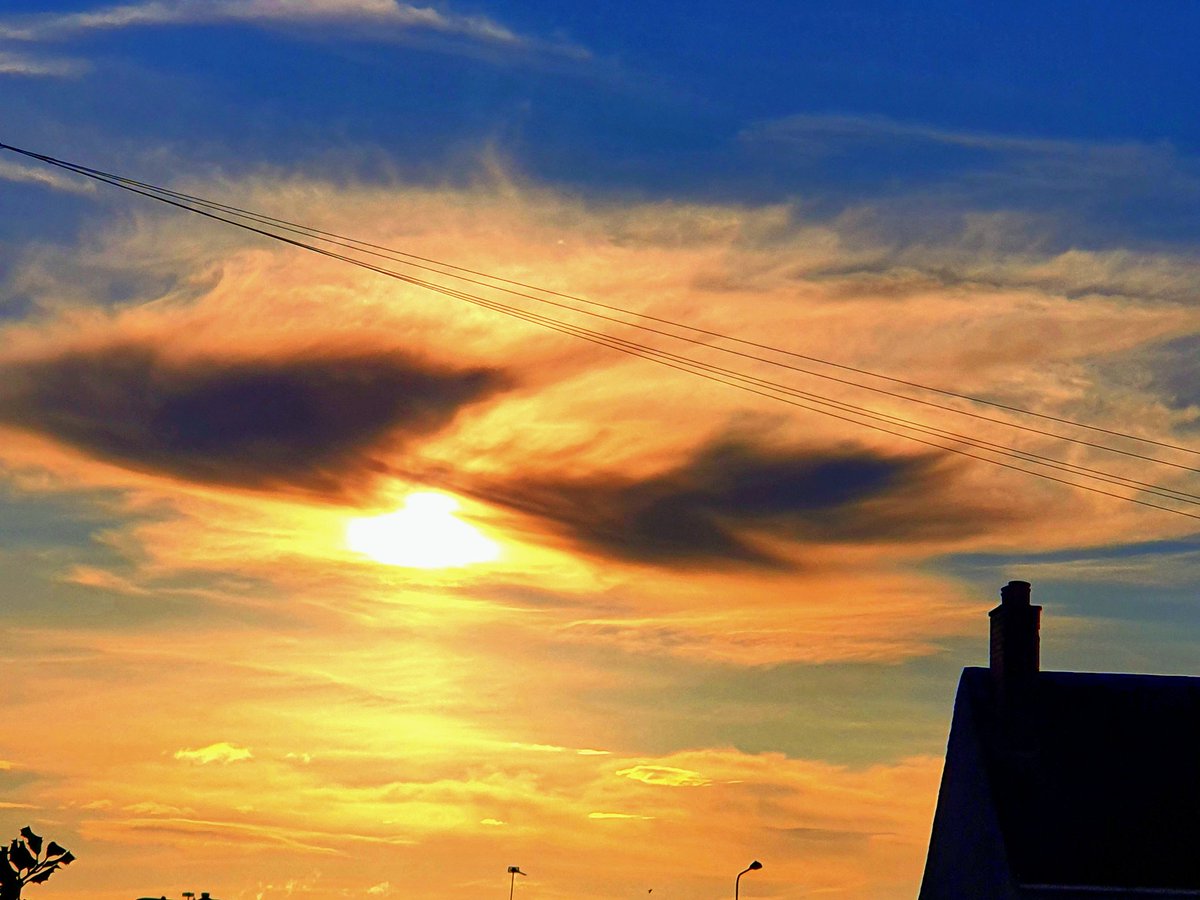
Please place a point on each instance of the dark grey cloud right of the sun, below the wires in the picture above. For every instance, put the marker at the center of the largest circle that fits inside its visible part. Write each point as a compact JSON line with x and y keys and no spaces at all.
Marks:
{"x":733,"y":500}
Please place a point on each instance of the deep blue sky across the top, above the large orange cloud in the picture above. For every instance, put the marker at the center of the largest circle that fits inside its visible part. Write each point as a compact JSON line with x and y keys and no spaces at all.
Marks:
{"x":646,"y":98}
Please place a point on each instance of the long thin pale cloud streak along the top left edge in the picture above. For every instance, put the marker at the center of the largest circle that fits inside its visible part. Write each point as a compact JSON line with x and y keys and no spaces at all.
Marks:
{"x":380,"y":20}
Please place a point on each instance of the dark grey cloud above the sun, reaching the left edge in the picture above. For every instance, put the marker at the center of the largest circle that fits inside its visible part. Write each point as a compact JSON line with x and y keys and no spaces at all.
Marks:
{"x":302,"y":422}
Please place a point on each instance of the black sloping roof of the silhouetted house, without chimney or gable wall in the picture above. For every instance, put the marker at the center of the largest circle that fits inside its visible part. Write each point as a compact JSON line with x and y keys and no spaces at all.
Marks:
{"x":1096,"y":779}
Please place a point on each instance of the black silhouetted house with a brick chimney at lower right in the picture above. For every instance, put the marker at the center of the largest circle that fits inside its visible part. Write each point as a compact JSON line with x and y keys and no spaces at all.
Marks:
{"x":1065,"y":785}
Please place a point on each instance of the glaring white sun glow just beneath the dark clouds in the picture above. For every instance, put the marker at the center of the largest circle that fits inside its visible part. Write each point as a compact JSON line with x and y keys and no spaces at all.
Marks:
{"x":424,"y":535}
